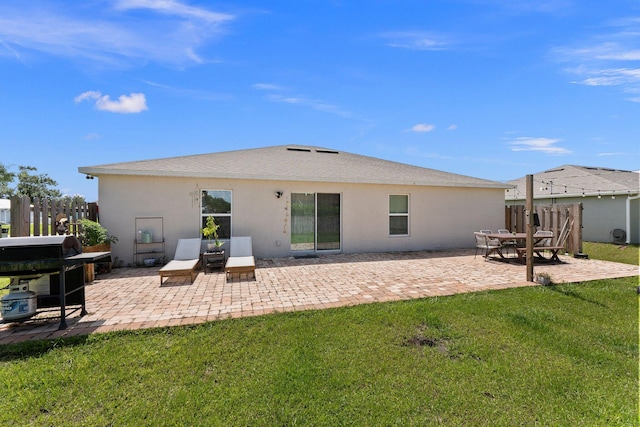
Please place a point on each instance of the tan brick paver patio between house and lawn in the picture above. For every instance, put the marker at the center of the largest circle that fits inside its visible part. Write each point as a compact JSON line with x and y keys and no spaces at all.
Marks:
{"x":134,"y":299}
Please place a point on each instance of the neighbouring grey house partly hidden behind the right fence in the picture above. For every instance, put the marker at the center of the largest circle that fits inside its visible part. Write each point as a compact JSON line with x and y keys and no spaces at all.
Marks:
{"x":610,"y":198}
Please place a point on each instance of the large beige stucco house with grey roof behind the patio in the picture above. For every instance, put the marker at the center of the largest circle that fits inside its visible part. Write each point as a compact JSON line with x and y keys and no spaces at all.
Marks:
{"x":294,"y":200}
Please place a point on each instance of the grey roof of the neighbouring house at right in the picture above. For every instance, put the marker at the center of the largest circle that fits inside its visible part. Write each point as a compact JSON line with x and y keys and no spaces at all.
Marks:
{"x":576,"y":181}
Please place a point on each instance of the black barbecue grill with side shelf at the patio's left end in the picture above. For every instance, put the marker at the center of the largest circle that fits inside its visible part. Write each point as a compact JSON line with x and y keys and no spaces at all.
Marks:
{"x":60,"y":258}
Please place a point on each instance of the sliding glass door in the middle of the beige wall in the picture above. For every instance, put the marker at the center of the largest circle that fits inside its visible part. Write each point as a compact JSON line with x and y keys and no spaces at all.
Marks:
{"x":315,"y":221}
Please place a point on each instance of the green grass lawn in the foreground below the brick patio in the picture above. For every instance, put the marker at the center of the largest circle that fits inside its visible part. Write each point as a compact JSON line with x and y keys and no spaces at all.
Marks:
{"x":562,"y":355}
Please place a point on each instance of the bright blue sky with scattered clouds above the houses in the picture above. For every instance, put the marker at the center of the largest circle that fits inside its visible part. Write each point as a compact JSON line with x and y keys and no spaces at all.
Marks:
{"x":494,"y":89}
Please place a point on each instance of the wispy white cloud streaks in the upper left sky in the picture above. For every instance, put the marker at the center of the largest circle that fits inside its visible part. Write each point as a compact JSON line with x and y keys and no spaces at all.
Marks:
{"x":124,"y":33}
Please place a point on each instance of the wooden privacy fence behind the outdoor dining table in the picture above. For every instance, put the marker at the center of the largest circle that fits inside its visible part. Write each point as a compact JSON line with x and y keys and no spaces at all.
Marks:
{"x":558,"y":218}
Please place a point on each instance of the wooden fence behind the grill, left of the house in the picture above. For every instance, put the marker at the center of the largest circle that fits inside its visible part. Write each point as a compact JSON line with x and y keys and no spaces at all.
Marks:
{"x":38,"y":217}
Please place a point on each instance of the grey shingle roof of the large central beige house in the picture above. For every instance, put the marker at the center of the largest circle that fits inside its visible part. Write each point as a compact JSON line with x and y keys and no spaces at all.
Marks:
{"x":292,"y":163}
